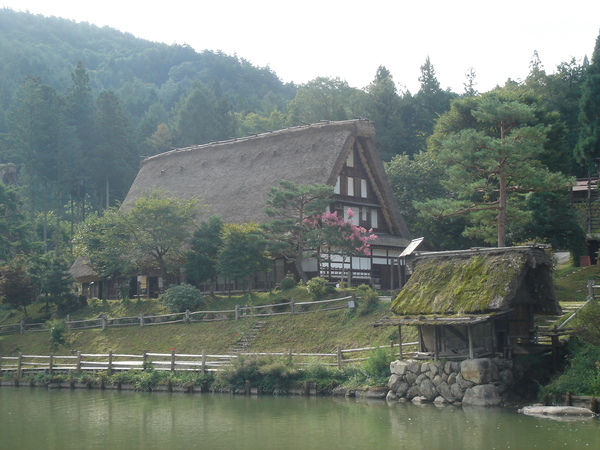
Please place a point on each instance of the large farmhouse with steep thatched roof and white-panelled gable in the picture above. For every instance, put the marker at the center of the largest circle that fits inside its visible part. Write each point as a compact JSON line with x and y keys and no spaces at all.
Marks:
{"x":232,"y":178}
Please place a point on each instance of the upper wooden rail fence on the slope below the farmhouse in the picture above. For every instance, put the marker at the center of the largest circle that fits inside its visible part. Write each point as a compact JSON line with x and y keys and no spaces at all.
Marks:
{"x":240,"y":312}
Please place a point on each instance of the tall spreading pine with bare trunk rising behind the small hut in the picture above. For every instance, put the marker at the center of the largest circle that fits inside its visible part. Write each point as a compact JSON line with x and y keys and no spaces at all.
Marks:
{"x":486,"y":168}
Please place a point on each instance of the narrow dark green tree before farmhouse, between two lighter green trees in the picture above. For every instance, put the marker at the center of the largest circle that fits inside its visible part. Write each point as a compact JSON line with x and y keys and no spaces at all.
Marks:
{"x":201,"y":260}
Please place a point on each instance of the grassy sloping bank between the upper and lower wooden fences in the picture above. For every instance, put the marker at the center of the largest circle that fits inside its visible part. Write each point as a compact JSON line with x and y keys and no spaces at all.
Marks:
{"x":319,"y":332}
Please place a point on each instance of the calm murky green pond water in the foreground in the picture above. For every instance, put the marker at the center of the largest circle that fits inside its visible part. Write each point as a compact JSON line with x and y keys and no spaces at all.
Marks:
{"x":38,"y":418}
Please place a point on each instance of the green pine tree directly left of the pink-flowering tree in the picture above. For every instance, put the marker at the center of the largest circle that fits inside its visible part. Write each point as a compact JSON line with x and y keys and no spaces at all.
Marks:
{"x":290,"y":205}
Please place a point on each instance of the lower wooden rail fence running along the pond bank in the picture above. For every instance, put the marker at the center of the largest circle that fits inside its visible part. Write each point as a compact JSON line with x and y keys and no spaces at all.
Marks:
{"x":204,"y":362}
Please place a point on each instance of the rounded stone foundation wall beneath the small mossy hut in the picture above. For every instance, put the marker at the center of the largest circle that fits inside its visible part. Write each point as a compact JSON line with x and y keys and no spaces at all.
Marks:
{"x":478,"y":382}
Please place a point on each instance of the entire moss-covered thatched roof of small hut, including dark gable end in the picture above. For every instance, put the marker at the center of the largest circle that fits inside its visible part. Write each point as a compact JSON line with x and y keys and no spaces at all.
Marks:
{"x":478,"y":281}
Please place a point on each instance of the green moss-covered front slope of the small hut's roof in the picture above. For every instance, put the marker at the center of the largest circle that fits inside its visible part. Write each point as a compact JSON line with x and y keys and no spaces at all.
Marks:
{"x":458,"y":285}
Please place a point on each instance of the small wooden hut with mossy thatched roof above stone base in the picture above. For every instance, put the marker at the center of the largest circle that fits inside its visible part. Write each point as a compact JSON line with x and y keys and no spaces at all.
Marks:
{"x":475,"y":302}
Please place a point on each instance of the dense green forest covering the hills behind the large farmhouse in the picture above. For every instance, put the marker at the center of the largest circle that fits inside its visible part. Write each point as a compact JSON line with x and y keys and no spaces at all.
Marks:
{"x":81,"y":105}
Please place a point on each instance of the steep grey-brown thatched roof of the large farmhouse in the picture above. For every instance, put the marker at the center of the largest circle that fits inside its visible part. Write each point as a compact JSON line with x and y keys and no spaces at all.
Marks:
{"x":233,"y":177}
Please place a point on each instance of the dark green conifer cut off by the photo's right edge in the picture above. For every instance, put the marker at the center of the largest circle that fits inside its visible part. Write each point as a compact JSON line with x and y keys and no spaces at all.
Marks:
{"x":587,"y":151}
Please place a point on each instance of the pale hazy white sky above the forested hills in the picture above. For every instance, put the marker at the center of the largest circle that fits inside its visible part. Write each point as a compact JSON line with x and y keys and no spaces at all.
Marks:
{"x":350,"y":39}
